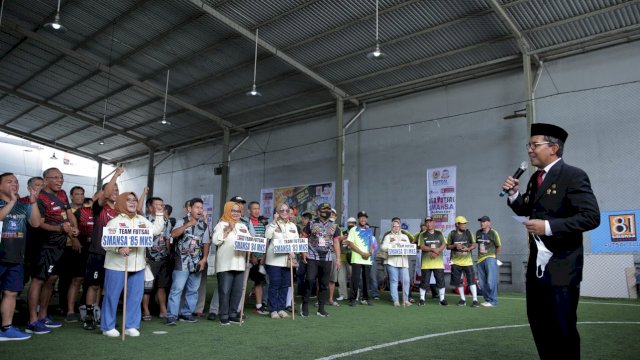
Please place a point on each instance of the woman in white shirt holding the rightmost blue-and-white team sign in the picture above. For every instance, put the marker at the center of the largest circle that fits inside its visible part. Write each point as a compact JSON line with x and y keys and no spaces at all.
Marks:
{"x":397,"y":265}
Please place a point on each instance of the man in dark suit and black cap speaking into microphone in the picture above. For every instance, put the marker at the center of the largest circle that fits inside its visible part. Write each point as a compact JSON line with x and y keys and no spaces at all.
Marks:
{"x":561,"y":206}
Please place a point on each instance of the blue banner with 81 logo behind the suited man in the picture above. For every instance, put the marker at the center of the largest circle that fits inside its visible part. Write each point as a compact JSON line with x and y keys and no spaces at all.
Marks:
{"x":618,"y":232}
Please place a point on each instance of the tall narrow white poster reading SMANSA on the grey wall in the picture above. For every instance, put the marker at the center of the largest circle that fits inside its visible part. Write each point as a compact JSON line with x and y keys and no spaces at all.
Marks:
{"x":441,"y":202}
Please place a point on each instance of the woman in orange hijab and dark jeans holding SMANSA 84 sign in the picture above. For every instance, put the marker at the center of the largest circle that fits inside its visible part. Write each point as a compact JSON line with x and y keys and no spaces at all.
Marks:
{"x":230,"y":264}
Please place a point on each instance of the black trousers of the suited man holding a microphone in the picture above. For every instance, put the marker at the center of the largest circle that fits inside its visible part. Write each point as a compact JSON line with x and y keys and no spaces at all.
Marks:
{"x":552,"y":317}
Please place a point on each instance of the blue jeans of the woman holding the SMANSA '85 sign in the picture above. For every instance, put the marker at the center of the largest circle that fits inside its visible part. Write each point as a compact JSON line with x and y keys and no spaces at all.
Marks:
{"x":113,"y":285}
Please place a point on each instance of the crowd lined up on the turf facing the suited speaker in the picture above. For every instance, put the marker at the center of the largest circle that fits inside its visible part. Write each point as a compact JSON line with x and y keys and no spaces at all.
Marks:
{"x":50,"y":238}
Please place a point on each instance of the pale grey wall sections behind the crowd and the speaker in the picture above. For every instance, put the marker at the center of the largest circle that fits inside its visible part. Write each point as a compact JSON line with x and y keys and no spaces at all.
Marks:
{"x":593,"y":96}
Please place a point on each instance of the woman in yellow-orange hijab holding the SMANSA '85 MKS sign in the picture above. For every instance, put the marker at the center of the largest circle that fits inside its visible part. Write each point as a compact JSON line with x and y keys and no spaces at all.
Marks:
{"x":114,"y":265}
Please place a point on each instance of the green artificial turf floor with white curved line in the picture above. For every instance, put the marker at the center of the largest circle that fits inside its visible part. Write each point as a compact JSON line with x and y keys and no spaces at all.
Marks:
{"x":347,"y":329}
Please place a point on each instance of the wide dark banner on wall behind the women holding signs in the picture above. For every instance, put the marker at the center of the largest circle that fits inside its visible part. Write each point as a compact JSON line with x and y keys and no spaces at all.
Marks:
{"x":302,"y":198}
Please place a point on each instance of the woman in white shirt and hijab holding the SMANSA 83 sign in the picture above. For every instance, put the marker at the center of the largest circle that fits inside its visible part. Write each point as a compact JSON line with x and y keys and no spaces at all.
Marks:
{"x":279,"y":273}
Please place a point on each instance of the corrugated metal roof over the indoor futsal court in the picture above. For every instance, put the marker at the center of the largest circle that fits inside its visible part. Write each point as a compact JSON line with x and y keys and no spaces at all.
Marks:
{"x":51,"y":88}
